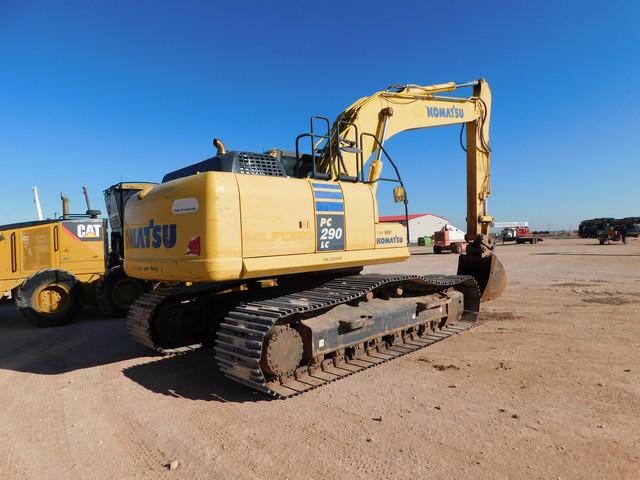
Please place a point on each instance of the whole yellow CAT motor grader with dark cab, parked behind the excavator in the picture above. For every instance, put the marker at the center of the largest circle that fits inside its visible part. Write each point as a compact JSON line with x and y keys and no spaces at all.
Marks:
{"x":52,"y":267}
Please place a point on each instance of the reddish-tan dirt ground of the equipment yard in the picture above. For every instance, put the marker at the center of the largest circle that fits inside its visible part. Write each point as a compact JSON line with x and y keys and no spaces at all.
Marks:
{"x":547,"y":386}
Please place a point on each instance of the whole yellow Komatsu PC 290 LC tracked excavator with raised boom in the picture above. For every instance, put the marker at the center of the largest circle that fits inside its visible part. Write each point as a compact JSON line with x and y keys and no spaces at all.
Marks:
{"x":261,"y":253}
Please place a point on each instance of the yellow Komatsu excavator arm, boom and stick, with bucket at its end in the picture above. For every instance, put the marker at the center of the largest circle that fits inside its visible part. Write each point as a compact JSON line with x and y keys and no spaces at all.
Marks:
{"x":410,"y":107}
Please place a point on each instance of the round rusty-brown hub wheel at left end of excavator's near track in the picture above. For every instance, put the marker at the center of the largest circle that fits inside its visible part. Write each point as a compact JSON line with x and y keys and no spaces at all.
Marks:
{"x":282,"y":351}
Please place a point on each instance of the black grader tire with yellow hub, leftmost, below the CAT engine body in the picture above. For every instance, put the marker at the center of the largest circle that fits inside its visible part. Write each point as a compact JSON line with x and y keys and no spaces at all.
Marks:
{"x":49,"y":298}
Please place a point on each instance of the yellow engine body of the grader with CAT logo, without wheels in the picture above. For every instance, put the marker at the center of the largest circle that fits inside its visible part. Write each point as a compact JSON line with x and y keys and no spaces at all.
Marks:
{"x":76,"y":246}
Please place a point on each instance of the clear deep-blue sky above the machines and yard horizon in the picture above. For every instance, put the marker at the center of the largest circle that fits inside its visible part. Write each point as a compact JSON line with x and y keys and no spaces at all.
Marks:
{"x":97,"y":92}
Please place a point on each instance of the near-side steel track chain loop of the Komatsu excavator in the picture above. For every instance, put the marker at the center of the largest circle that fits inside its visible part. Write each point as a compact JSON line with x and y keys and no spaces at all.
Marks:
{"x":242,"y":333}
